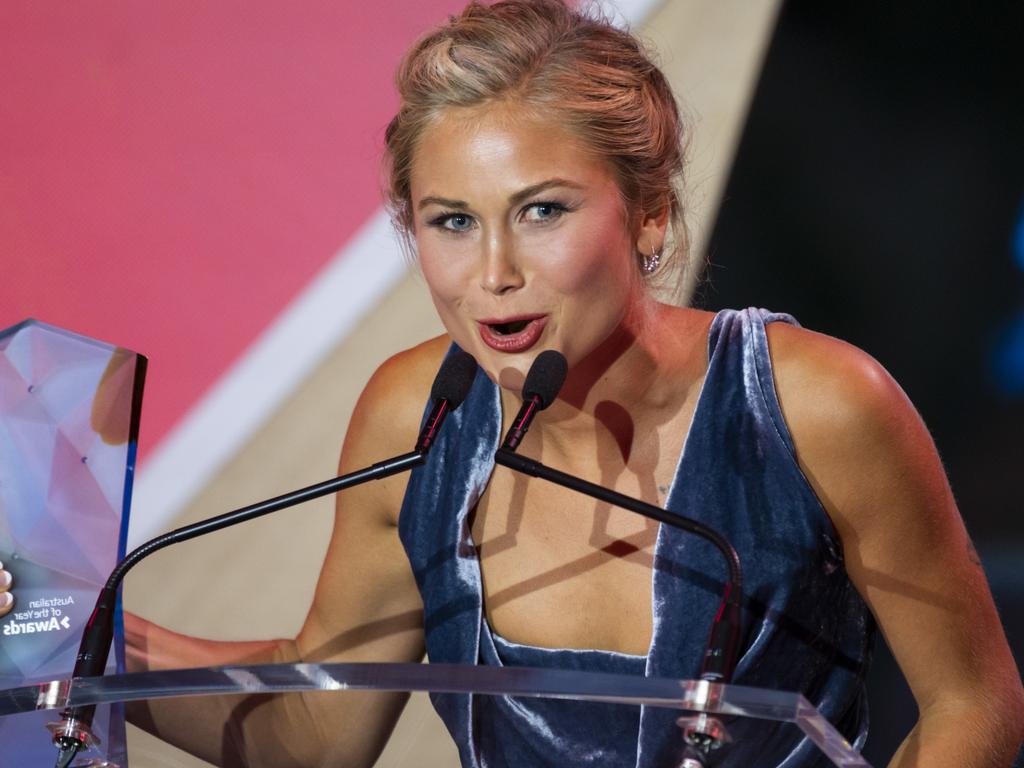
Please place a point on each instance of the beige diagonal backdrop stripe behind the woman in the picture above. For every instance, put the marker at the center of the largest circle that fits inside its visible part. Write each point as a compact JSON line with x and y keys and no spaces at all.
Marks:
{"x":258,"y":581}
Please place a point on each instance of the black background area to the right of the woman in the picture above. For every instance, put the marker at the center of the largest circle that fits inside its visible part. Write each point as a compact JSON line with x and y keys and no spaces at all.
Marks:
{"x":878,"y":196}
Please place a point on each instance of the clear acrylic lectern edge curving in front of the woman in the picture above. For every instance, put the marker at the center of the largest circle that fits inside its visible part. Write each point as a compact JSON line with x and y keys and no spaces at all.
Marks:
{"x":689,"y":697}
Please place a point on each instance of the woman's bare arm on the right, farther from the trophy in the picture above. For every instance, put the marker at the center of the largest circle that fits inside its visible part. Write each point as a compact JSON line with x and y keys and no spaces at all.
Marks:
{"x":872,"y":462}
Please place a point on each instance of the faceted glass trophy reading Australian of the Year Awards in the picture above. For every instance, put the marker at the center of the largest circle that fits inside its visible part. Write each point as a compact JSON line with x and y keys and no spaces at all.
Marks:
{"x":69,"y":421}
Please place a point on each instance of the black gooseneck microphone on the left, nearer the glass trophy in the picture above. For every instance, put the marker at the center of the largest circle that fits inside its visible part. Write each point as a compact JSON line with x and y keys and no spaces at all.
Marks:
{"x":74,"y":733}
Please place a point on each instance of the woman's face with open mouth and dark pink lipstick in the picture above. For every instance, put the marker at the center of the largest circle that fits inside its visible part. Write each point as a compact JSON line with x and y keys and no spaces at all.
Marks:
{"x":523,"y":239}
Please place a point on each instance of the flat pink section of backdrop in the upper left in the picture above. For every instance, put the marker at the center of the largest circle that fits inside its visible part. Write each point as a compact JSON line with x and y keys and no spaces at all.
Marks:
{"x":173,"y":175}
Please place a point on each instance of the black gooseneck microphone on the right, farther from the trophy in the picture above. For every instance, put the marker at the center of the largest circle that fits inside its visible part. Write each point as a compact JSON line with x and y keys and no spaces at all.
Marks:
{"x":702,"y":734}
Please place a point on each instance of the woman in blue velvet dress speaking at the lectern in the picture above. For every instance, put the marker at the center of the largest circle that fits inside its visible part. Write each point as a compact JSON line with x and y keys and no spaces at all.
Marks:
{"x":533,"y":166}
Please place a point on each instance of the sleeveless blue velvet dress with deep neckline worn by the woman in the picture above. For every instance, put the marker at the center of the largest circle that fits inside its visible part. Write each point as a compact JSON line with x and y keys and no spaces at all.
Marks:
{"x":805,"y":627}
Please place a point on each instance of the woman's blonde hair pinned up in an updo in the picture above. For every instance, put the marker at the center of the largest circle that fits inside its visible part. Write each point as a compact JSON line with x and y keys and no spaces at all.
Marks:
{"x":576,"y":66}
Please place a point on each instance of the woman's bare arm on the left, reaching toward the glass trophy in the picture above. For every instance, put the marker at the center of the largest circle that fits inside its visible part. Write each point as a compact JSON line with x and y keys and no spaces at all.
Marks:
{"x":366,"y":609}
